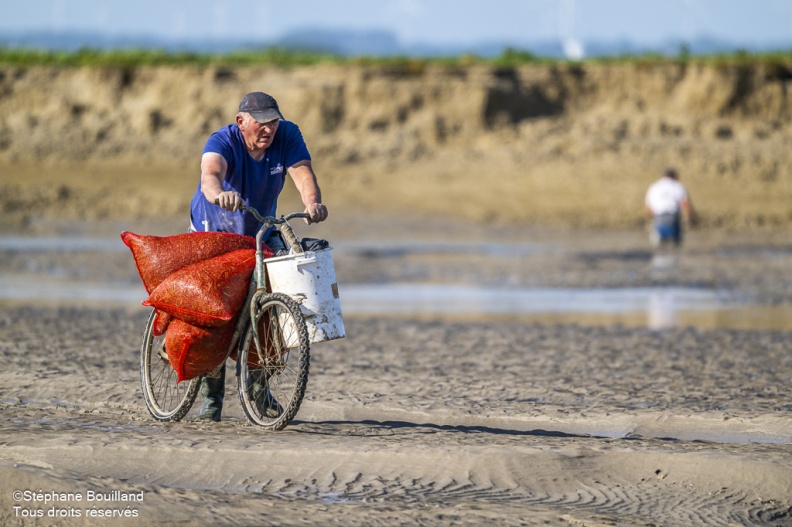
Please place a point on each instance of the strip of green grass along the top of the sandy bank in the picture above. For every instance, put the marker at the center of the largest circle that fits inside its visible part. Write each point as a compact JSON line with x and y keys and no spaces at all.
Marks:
{"x":510,"y":57}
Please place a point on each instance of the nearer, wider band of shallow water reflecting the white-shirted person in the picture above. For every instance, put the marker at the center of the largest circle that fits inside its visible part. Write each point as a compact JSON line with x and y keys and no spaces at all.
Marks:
{"x":646,"y":307}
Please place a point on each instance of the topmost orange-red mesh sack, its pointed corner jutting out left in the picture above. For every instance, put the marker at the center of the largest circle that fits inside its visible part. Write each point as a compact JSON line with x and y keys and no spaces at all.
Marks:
{"x":157,"y":257}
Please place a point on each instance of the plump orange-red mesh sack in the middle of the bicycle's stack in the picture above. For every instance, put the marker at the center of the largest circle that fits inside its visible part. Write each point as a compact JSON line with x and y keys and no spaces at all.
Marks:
{"x":207,"y":293}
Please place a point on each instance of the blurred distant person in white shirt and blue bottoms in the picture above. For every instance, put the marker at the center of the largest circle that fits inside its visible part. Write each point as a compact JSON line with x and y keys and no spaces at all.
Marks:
{"x":666,"y":201}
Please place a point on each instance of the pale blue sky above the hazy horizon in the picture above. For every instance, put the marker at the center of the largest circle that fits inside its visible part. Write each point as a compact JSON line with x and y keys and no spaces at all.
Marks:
{"x":454,"y":22}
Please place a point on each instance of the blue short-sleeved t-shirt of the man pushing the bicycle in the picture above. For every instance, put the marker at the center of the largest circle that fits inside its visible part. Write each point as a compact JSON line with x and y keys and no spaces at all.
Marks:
{"x":258,"y":182}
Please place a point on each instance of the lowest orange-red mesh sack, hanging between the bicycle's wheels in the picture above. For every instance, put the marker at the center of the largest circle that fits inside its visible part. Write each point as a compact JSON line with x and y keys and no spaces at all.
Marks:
{"x":193,"y":350}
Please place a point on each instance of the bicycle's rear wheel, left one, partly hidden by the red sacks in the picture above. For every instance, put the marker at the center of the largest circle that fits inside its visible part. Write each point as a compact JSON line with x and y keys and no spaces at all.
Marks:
{"x":166,"y":399}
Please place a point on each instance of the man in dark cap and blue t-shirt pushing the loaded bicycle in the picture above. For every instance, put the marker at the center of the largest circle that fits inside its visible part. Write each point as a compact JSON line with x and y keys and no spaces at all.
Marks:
{"x":245,"y":163}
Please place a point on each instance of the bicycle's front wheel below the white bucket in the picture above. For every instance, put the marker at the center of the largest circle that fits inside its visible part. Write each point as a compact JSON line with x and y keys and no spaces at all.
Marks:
{"x":273,"y":369}
